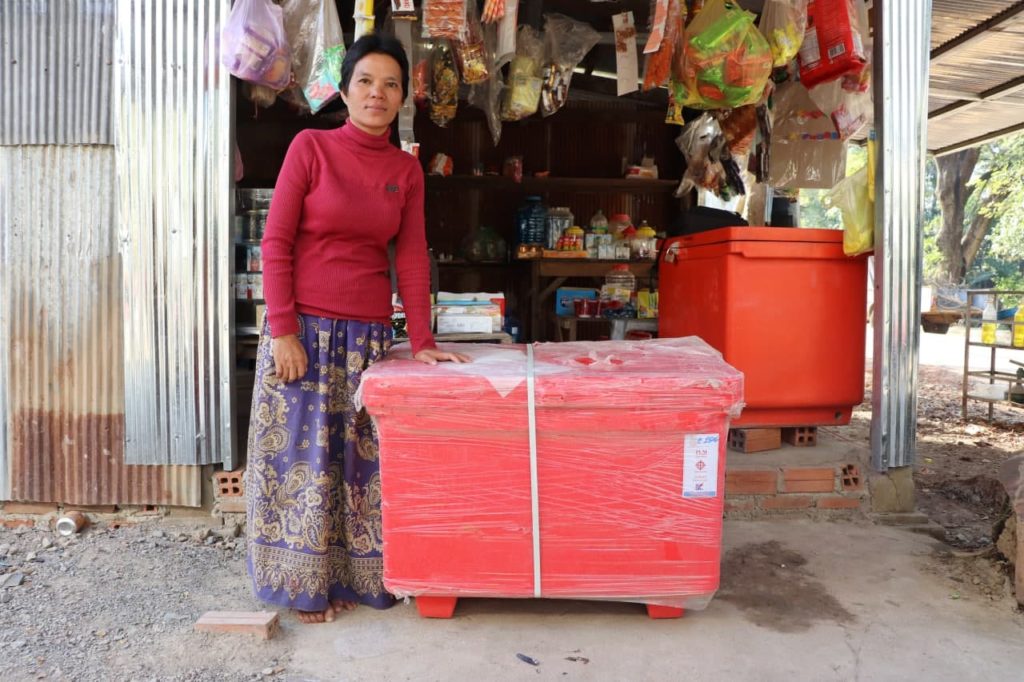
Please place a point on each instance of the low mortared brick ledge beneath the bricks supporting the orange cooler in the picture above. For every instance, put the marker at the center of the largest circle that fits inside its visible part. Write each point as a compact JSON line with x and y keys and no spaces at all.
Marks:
{"x":795,"y":489}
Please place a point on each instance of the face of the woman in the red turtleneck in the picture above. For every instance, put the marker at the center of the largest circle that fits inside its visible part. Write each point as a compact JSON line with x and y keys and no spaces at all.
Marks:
{"x":374,"y":96}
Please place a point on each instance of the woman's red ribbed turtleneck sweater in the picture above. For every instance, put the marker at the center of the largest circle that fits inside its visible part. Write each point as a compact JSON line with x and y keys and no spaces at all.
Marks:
{"x":342,"y":196}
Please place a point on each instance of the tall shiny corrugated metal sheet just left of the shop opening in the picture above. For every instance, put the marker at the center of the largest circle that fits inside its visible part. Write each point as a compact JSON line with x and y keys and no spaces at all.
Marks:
{"x":174,"y":127}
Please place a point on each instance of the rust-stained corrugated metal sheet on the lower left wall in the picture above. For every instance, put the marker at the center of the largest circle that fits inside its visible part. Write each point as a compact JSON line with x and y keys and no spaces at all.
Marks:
{"x":62,"y":330}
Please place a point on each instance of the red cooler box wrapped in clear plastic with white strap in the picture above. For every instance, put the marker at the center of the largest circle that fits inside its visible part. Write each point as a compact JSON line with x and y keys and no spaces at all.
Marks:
{"x":623,"y":500}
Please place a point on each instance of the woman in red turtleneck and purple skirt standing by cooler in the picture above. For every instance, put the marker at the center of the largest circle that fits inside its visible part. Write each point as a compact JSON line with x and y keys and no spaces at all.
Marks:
{"x":313,"y":477}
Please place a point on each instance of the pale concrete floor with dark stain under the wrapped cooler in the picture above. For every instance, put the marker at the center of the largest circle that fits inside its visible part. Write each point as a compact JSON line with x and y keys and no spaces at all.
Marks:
{"x":871,"y":604}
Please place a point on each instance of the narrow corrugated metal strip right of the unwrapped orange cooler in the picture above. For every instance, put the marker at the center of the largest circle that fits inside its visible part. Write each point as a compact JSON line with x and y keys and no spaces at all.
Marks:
{"x":902,"y":52}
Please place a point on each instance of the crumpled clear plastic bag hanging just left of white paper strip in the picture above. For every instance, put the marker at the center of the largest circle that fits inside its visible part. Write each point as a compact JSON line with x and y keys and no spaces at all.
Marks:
{"x":568,"y":42}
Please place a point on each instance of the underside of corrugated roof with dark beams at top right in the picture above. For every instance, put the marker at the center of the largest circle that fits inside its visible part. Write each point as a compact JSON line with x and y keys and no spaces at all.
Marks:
{"x":977,"y":72}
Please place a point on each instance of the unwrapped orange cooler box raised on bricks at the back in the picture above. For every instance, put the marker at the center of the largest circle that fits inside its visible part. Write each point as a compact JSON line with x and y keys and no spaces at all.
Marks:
{"x":786,"y":307}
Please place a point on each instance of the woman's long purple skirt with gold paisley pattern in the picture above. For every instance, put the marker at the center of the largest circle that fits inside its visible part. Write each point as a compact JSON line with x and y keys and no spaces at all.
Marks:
{"x":313,"y":478}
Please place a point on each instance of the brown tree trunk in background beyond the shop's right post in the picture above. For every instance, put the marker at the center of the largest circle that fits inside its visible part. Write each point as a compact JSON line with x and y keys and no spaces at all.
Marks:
{"x":955,"y":174}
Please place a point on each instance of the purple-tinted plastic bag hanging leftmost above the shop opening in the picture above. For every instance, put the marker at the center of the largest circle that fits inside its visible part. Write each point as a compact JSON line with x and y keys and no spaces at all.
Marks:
{"x":253,"y":47}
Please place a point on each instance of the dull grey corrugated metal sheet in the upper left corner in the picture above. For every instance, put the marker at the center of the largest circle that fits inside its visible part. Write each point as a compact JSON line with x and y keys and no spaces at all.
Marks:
{"x":56,"y":71}
